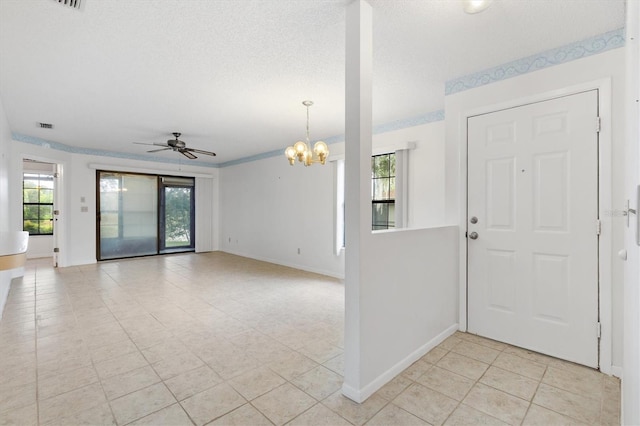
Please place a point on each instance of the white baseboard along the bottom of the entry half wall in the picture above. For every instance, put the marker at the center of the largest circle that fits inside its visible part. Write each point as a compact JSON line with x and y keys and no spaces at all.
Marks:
{"x":361,"y":395}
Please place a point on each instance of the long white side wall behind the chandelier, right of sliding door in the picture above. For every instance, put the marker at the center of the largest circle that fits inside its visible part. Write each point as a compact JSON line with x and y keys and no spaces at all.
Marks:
{"x":269,"y":210}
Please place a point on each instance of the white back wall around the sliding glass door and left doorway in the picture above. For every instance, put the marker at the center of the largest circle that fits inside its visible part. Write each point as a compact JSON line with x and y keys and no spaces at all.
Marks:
{"x":77,"y":238}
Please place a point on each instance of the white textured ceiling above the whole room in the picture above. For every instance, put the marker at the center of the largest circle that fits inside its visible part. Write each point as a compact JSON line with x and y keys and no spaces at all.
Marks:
{"x":231,"y":74}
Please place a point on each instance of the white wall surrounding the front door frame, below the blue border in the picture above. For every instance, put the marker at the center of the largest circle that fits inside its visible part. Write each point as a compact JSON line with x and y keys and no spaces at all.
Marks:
{"x":609,"y":64}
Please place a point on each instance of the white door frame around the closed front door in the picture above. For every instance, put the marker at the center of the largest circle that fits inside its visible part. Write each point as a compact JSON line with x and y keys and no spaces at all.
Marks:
{"x":604,"y":203}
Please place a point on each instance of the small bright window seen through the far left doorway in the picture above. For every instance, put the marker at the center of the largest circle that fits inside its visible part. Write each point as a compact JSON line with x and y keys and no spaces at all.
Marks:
{"x":37,"y":203}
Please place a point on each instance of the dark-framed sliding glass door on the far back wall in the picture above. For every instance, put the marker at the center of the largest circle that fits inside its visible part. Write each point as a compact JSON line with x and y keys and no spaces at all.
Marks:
{"x":141,"y":215}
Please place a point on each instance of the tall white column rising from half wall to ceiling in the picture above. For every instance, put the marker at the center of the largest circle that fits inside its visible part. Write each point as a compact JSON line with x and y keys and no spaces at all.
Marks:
{"x":358,"y":122}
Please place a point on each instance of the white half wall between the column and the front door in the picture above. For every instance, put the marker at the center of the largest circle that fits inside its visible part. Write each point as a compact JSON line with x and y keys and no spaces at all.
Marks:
{"x":408,"y":301}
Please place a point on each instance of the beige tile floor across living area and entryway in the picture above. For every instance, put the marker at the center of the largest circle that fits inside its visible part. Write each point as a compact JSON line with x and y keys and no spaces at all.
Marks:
{"x":222,"y":340}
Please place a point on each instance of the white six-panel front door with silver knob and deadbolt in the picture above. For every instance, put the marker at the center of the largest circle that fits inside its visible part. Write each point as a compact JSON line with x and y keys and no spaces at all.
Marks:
{"x":533,"y":195}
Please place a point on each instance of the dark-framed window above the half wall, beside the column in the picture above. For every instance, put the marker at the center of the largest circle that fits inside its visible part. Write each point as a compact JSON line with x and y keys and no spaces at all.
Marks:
{"x":383,"y":191}
